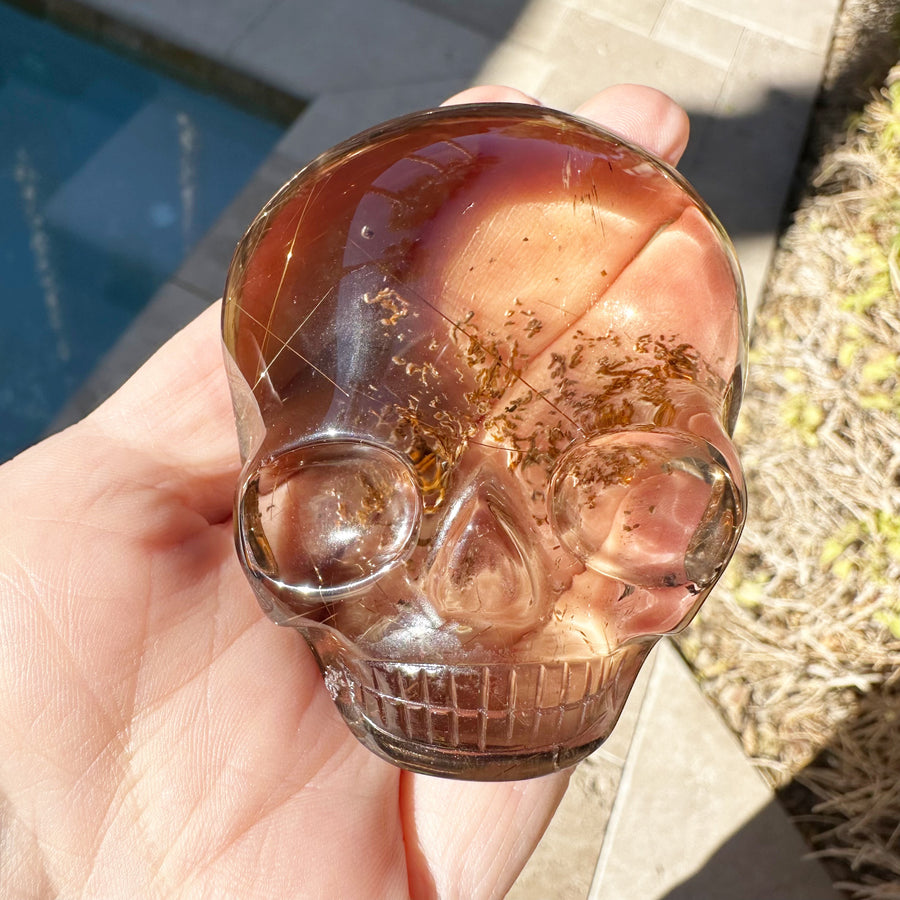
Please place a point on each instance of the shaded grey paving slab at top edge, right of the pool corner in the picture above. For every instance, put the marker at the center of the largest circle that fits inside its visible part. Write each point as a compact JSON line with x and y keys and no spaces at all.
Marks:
{"x":310,"y":47}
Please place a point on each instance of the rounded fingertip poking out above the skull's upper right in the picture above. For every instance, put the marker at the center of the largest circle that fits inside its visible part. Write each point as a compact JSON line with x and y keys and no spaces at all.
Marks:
{"x":642,"y":115}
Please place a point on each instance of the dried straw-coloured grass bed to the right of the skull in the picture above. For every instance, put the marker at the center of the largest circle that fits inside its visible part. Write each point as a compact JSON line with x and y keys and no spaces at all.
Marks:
{"x":800,"y":645}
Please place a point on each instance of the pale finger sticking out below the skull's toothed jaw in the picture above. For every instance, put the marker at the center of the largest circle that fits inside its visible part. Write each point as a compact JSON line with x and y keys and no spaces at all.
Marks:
{"x":470,"y":839}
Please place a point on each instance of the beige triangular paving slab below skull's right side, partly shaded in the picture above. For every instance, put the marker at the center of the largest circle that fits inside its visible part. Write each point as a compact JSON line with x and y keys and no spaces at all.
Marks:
{"x":692,"y":819}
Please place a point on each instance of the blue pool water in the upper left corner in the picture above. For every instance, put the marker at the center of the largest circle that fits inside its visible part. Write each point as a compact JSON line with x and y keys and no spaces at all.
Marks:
{"x":109,"y":174}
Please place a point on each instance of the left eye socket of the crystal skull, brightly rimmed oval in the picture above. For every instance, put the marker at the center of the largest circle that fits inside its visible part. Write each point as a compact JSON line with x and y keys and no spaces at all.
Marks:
{"x":328,"y":518}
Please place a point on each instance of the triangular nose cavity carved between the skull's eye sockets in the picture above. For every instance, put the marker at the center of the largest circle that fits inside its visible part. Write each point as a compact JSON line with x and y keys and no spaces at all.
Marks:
{"x":480,"y":578}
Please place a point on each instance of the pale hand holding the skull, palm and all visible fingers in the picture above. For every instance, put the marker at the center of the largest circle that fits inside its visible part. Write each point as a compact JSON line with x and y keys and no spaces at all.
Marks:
{"x":159,"y":737}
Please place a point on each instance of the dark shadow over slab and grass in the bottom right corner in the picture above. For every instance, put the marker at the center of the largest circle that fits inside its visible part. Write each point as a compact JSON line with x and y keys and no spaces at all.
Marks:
{"x":847,"y":797}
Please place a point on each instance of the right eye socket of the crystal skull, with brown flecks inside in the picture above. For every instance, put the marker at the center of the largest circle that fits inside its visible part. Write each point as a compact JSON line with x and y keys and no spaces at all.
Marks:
{"x":651,"y":507}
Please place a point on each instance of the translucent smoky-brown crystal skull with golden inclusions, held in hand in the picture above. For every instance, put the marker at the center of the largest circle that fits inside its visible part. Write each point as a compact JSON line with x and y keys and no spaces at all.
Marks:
{"x":485,"y":362}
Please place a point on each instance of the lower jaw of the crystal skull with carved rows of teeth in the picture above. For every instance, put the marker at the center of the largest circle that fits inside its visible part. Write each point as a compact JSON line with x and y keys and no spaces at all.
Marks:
{"x":491,"y":721}
